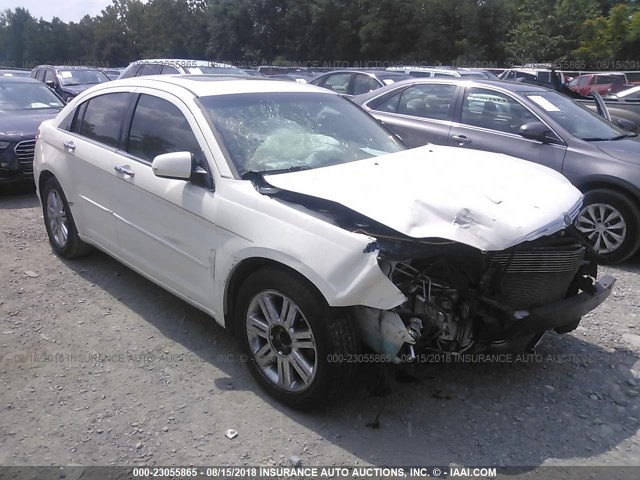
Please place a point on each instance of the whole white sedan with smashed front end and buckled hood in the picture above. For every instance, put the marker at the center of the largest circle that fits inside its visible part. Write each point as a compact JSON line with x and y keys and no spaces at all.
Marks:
{"x":290,"y":215}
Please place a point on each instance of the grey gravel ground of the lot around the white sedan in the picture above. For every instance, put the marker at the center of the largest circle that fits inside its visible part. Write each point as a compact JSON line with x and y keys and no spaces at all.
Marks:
{"x":100,"y":366}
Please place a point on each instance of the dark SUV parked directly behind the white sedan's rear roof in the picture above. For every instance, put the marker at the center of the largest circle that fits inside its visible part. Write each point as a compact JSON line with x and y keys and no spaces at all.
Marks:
{"x":68,"y":81}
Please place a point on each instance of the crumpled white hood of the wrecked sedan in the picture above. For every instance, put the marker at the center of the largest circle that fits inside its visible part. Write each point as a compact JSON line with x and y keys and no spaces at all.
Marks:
{"x":485,"y":200}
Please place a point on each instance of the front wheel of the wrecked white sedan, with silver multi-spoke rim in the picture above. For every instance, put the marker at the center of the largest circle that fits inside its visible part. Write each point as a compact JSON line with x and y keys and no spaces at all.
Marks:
{"x":298,"y":348}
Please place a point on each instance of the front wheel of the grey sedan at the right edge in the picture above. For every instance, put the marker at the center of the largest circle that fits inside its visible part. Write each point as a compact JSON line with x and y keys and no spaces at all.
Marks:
{"x":611,"y":222}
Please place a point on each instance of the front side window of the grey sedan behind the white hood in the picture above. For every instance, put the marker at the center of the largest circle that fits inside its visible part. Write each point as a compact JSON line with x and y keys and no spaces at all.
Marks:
{"x":494,"y":110}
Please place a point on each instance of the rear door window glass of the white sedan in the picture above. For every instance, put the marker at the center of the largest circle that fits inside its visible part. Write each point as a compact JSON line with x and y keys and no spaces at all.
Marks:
{"x":104,"y":118}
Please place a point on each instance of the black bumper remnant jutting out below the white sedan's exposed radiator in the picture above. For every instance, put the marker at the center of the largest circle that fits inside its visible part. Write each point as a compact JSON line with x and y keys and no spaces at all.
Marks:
{"x":558,"y":314}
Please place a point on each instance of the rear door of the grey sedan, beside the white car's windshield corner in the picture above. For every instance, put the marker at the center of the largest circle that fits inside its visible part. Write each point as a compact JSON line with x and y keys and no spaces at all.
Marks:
{"x":419,"y":114}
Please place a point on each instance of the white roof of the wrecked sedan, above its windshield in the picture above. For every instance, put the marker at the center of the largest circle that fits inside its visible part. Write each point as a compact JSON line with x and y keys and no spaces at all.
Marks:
{"x":205,"y":85}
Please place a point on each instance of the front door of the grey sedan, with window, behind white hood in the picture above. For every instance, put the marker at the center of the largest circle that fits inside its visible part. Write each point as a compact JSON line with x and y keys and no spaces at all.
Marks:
{"x":490,"y":120}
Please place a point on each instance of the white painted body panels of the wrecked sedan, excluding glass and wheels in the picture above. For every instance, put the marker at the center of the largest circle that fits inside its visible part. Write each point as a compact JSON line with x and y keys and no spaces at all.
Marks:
{"x":190,"y":240}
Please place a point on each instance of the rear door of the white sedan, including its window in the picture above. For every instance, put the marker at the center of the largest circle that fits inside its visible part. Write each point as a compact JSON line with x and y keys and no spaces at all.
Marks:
{"x":88,"y":139}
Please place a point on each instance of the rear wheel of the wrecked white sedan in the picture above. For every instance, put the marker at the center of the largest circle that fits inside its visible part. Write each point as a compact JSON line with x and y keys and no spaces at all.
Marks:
{"x":58,"y":220}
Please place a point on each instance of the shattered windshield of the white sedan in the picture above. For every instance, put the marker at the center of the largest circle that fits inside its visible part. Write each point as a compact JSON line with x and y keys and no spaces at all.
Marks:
{"x":269,"y":132}
